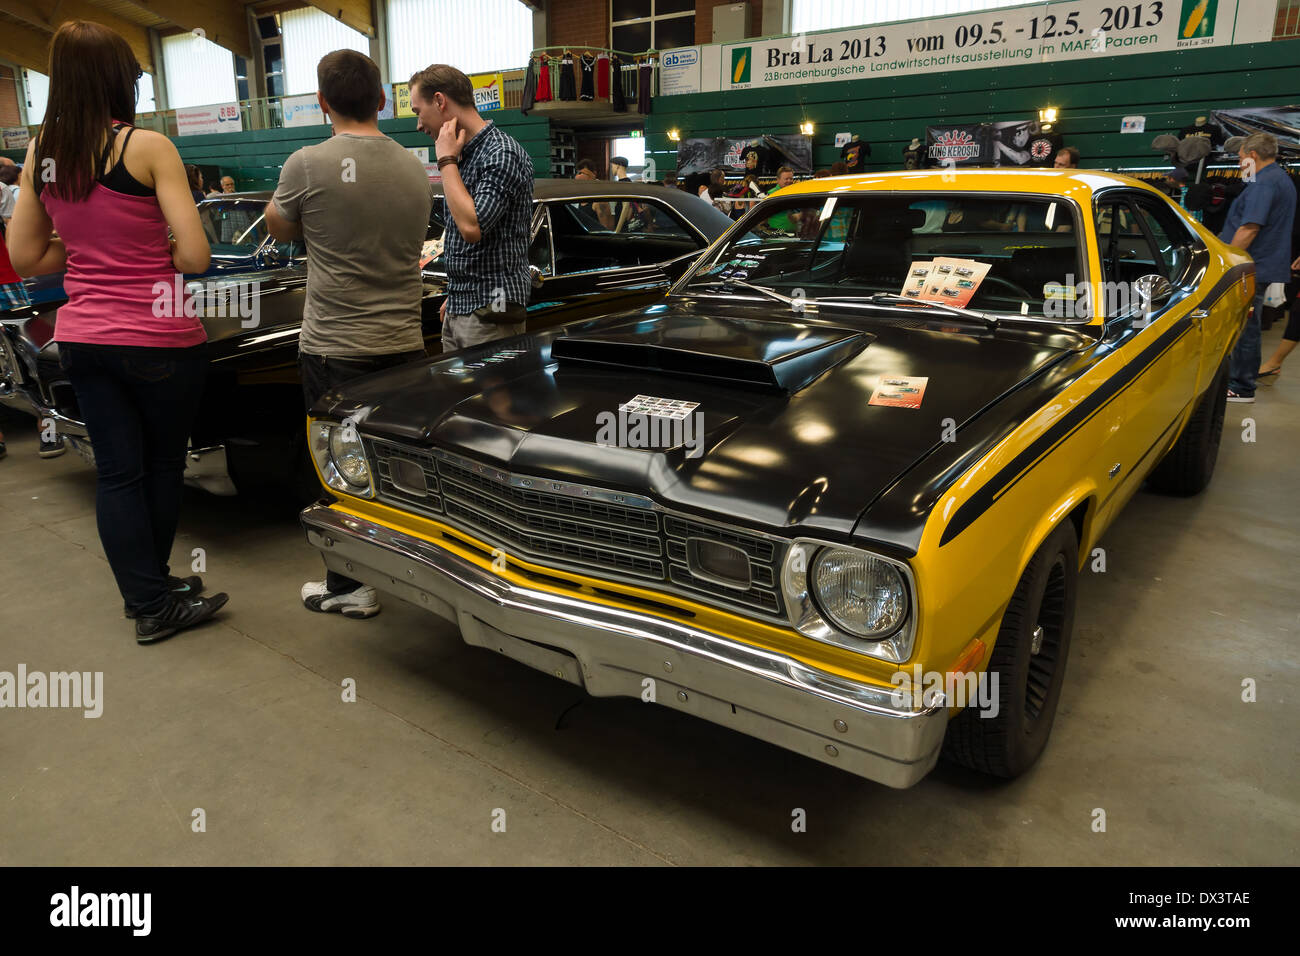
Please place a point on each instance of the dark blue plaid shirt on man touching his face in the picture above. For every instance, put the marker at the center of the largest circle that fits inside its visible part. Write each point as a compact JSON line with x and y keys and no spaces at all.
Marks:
{"x":499,"y":174}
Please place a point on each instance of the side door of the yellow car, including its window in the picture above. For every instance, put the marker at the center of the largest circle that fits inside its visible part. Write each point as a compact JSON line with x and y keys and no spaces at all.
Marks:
{"x":1139,"y":236}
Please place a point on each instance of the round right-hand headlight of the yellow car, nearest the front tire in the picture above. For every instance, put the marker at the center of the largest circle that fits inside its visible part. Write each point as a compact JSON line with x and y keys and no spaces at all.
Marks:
{"x":861,"y":595}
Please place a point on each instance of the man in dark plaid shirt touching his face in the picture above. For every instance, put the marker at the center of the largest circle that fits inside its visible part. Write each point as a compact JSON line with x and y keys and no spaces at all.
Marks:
{"x":488,"y":191}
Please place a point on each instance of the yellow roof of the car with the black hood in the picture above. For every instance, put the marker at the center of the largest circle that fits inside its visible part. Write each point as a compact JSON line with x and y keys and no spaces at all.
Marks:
{"x":1054,"y":183}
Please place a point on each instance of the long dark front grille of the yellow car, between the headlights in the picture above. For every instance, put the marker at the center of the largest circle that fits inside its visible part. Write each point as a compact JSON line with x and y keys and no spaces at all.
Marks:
{"x":580,"y":529}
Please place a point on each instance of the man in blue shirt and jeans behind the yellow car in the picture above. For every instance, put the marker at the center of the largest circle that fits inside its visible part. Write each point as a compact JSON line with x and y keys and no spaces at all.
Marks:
{"x":1260,"y":222}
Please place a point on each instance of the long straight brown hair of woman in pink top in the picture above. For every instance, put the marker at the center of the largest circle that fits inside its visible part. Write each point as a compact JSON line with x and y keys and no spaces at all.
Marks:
{"x":93,"y":75}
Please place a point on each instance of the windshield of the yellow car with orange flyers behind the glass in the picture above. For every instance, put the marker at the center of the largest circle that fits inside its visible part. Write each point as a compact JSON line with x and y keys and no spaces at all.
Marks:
{"x":1015,"y":256}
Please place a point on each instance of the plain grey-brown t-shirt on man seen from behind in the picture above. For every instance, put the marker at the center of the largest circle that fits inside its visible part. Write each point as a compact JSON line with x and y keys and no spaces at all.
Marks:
{"x":365,"y":207}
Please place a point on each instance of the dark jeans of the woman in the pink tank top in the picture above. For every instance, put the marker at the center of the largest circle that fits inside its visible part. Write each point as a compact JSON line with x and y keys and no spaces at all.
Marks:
{"x":140,"y":406}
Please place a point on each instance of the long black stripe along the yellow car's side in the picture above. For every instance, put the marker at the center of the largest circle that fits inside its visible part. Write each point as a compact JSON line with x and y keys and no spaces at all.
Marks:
{"x":1078,"y":417}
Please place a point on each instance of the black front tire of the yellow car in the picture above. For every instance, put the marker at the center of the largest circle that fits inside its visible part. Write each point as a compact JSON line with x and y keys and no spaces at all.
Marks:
{"x":1029,"y":685}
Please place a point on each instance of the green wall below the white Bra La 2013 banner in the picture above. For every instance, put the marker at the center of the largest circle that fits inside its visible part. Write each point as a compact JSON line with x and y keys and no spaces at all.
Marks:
{"x":1169,"y":89}
